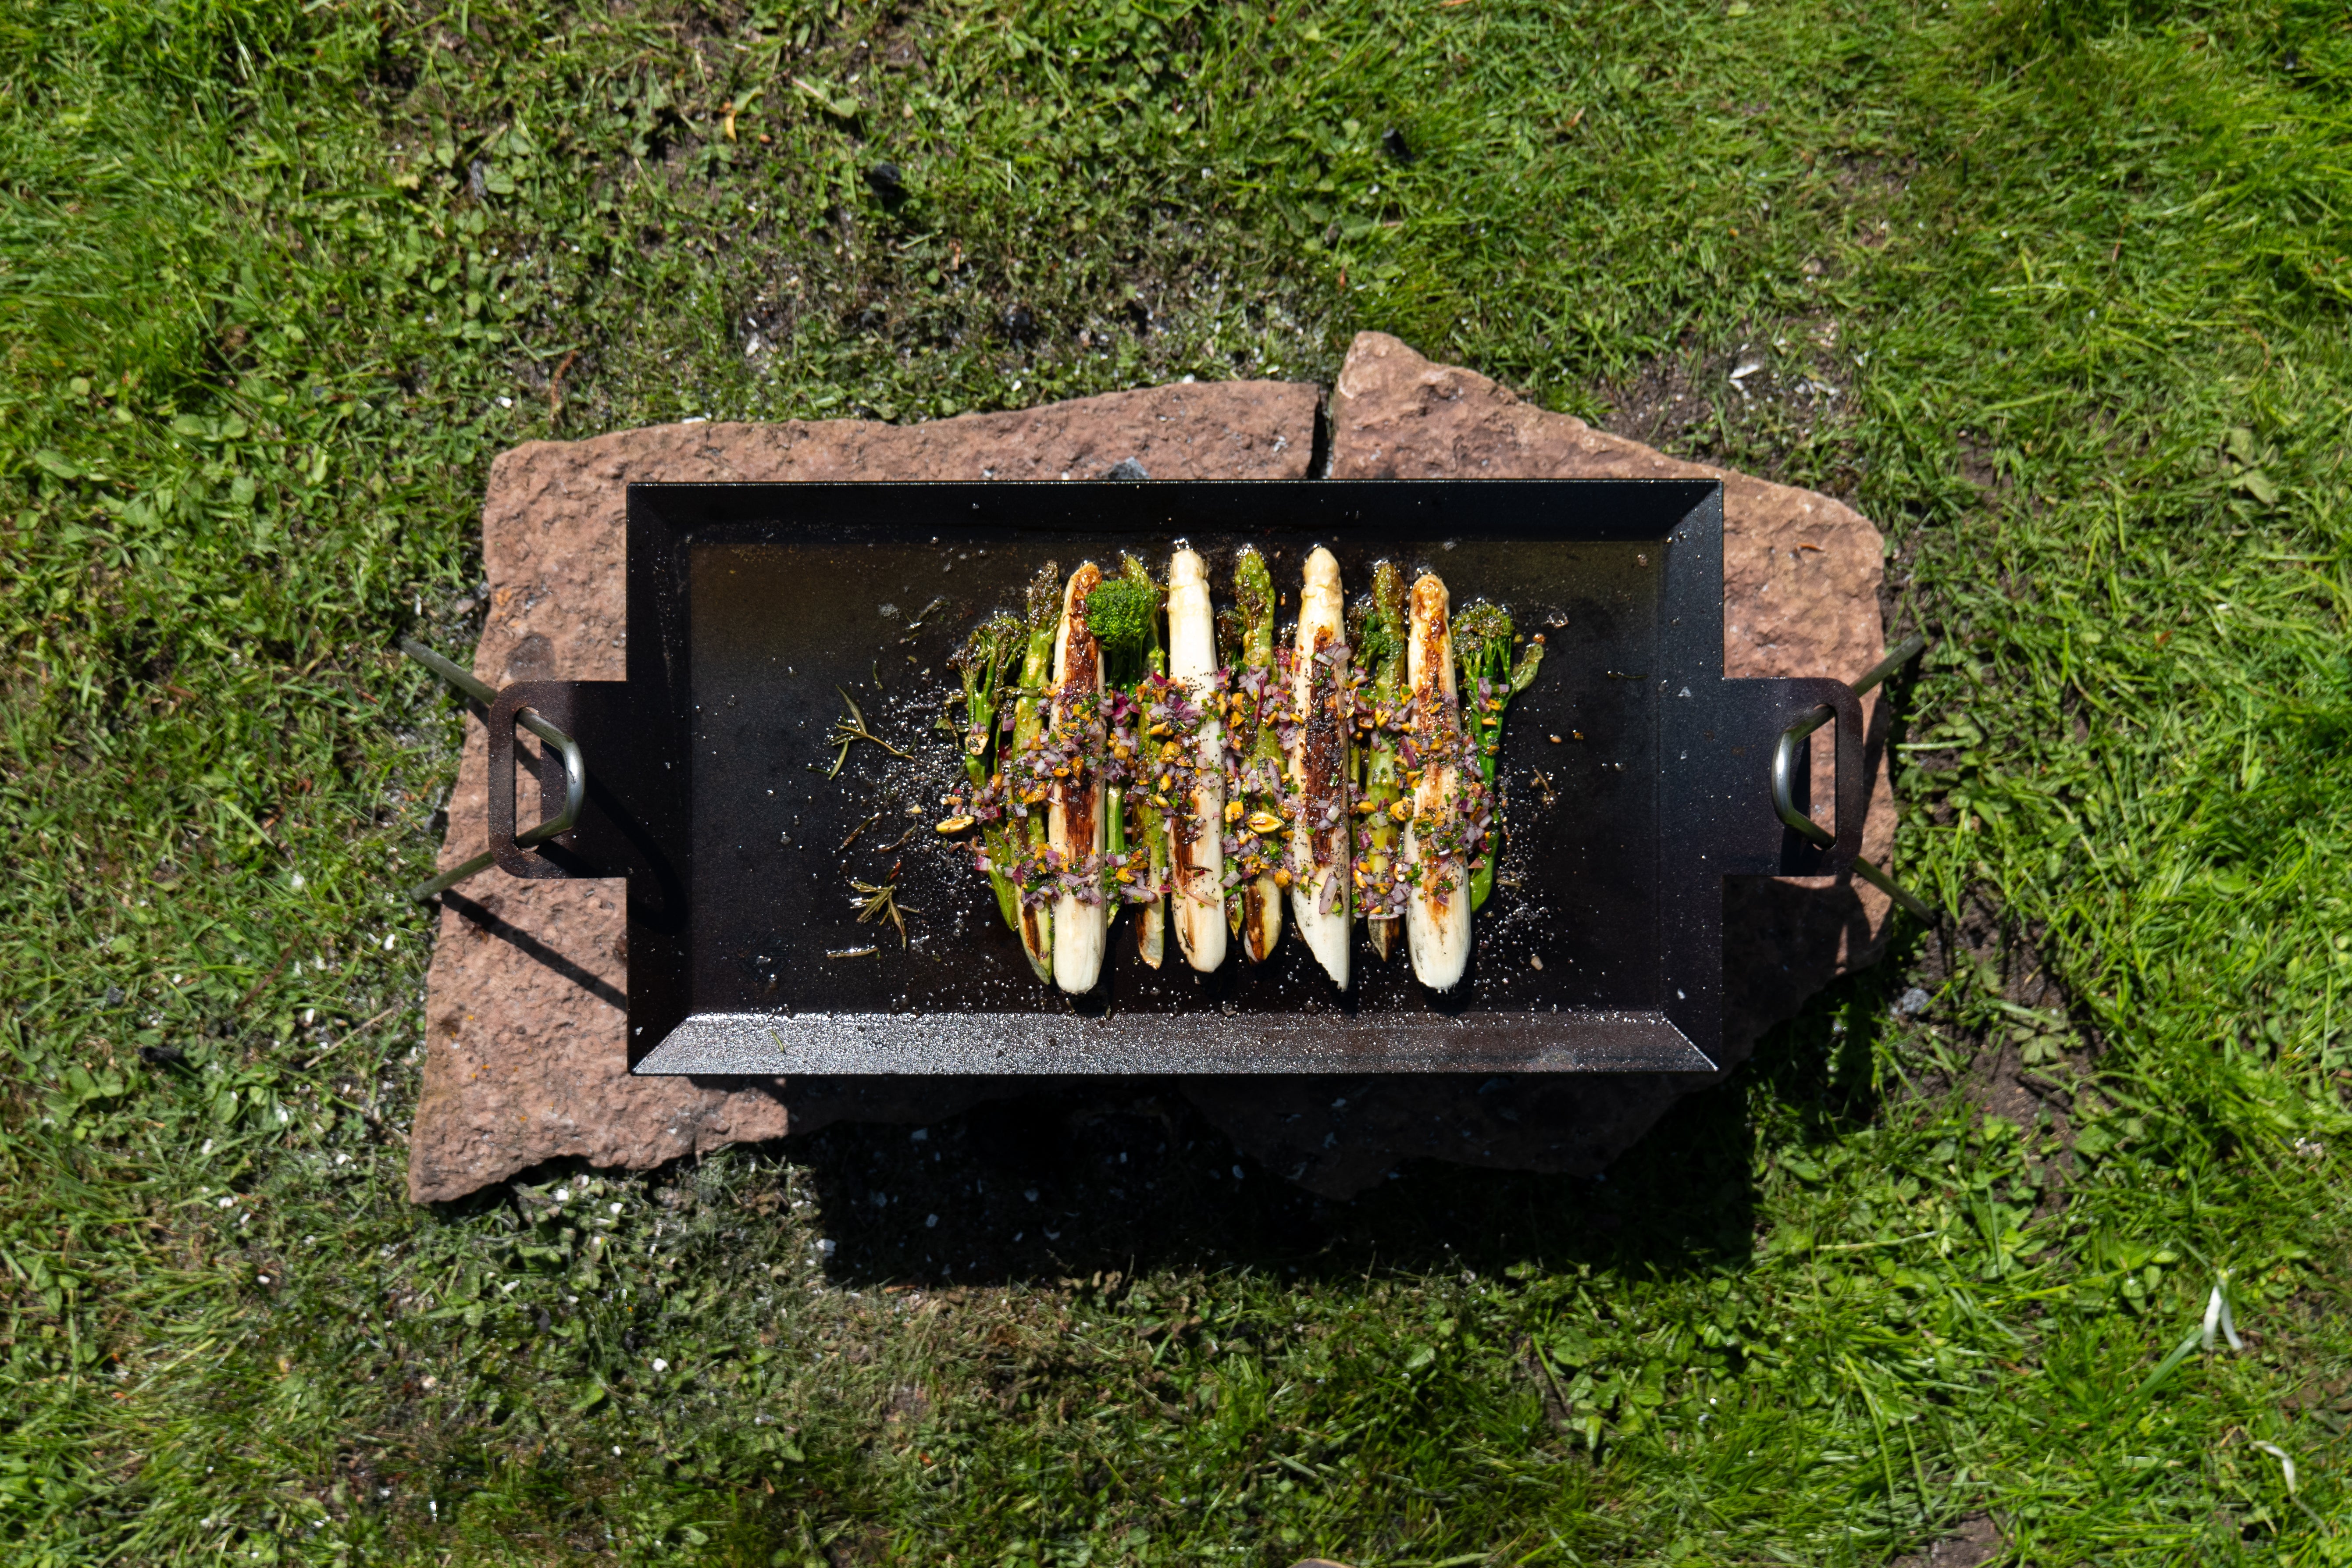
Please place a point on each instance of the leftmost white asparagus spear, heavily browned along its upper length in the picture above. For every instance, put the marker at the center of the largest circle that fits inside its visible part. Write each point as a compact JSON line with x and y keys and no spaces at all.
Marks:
{"x":1076,"y":800}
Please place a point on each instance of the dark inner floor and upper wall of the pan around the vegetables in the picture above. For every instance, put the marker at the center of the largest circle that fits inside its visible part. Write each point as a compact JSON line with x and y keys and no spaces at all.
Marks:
{"x":799,"y":598}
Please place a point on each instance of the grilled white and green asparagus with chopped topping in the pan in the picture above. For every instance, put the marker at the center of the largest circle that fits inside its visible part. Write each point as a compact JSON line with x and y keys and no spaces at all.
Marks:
{"x":1128,"y":753}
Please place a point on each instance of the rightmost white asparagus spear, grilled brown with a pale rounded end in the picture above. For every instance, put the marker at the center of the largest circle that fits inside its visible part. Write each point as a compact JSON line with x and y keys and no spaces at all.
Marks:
{"x":1438,"y":906}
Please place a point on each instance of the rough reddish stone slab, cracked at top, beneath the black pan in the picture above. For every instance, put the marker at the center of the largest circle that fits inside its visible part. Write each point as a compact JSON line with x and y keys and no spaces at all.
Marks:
{"x":526,"y":1050}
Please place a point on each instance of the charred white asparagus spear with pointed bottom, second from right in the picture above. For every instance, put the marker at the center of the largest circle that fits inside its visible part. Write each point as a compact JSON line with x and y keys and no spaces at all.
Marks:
{"x":1325,"y":711}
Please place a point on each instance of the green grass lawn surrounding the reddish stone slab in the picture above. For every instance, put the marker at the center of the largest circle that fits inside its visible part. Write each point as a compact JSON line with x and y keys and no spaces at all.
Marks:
{"x":279,"y":281}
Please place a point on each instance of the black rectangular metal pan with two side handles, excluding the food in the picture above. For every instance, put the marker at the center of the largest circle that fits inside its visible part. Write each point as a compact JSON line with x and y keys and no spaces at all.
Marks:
{"x":1638,"y":779}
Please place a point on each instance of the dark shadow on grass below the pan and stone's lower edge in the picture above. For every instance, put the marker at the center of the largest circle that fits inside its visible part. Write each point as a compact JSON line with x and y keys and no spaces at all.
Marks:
{"x":1071,"y":1184}
